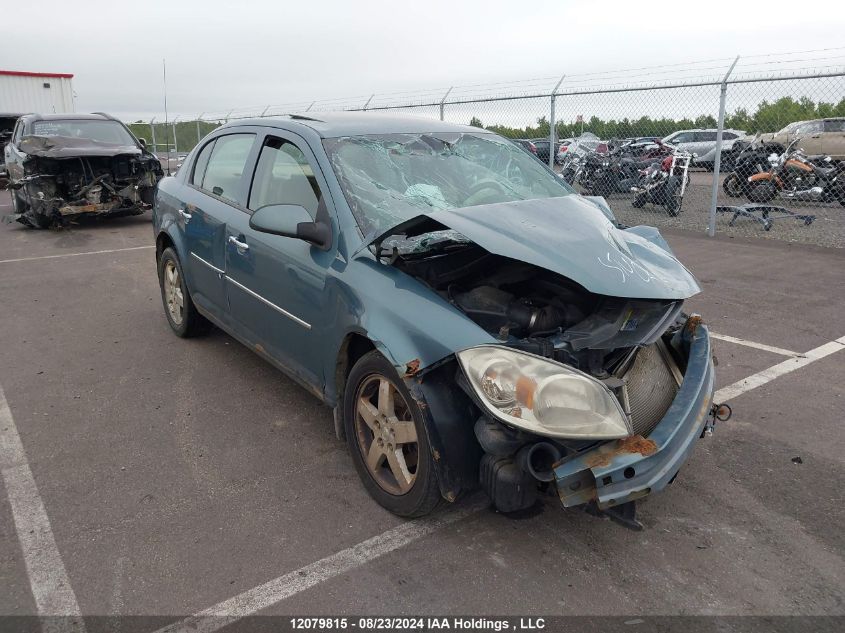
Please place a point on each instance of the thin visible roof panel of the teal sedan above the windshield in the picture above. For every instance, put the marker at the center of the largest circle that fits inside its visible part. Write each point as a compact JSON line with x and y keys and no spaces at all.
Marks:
{"x":334,"y":124}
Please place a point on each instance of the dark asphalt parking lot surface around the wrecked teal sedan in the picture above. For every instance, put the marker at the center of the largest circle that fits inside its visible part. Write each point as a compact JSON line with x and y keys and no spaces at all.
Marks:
{"x":185,"y":476}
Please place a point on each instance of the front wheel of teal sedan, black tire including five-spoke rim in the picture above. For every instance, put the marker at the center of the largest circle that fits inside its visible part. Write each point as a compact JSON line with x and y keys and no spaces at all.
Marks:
{"x":387,"y":439}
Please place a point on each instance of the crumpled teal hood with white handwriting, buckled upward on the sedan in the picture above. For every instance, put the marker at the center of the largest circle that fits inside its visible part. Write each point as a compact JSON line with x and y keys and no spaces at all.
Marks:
{"x":572,"y":237}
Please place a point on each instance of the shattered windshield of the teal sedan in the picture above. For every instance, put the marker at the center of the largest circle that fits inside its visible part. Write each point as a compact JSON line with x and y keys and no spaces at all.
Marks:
{"x":391,"y":178}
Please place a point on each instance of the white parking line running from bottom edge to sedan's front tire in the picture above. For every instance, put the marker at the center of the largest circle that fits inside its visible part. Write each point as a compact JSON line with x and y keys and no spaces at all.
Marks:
{"x":252,"y":601}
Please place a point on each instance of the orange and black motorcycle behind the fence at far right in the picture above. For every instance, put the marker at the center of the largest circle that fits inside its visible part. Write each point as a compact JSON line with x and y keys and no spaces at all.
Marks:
{"x":794,"y":176}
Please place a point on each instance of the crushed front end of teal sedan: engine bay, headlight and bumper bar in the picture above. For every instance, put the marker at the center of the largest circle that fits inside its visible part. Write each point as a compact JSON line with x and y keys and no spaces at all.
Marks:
{"x":599,"y":398}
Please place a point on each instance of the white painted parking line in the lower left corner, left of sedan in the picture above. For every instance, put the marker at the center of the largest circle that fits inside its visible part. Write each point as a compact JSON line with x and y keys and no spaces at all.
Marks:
{"x":48,"y":579}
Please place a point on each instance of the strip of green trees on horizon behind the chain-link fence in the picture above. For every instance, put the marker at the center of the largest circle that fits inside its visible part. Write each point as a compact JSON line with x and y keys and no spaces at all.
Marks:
{"x":768,"y":117}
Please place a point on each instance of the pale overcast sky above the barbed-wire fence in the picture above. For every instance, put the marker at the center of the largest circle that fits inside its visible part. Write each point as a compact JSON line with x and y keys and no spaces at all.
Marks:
{"x":225,"y":55}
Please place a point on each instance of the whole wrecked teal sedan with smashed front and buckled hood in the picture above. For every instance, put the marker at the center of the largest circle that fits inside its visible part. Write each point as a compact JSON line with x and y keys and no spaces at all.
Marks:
{"x":470,"y":319}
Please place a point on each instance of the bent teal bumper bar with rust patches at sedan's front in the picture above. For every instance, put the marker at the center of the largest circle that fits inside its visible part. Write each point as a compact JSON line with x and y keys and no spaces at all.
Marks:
{"x":622,"y":471}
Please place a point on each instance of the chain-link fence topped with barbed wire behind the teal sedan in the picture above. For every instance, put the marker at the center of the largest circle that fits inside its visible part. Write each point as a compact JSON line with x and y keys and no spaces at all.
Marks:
{"x":725,"y":101}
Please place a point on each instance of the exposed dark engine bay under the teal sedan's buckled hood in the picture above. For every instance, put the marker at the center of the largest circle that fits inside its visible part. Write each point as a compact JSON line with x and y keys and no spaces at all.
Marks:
{"x":541,"y":312}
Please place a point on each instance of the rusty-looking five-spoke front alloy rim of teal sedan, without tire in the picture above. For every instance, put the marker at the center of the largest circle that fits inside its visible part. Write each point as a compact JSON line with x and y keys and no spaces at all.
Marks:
{"x":387,"y":435}
